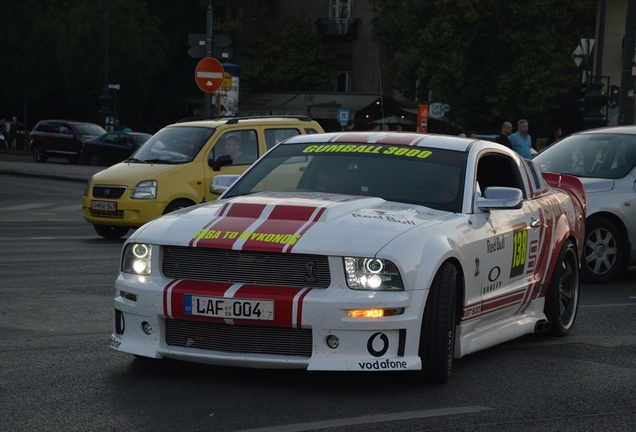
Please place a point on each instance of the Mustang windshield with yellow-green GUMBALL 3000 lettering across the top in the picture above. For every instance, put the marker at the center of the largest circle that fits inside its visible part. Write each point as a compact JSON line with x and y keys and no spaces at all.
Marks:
{"x":414,"y":175}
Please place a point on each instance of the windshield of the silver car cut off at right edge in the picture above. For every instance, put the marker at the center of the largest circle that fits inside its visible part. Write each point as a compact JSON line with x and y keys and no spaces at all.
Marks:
{"x":599,"y":155}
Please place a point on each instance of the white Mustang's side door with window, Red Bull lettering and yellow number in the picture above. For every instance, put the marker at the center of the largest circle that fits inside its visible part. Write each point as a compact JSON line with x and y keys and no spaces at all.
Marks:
{"x":509,"y":242}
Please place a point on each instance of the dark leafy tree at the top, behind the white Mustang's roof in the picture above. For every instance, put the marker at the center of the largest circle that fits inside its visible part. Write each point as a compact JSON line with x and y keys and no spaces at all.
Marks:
{"x":490,"y":60}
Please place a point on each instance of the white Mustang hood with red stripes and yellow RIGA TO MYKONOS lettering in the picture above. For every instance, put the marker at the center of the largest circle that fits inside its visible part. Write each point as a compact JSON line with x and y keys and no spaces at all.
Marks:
{"x":314,"y":223}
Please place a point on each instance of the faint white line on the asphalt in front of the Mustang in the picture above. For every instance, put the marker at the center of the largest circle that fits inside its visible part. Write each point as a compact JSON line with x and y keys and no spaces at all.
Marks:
{"x":369,"y":419}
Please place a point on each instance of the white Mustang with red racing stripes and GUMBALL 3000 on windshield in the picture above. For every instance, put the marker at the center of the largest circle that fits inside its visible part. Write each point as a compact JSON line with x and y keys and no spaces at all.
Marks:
{"x":358,"y":252}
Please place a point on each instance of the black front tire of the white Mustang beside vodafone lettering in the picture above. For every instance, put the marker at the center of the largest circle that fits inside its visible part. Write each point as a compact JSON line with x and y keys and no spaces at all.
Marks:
{"x":437,"y":338}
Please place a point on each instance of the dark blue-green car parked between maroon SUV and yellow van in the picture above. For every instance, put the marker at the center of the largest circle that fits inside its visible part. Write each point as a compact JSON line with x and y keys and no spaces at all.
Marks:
{"x":112,"y":147}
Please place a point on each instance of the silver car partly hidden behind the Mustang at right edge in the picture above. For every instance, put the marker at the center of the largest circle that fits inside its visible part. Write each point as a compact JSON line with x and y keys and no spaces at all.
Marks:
{"x":604,"y":160}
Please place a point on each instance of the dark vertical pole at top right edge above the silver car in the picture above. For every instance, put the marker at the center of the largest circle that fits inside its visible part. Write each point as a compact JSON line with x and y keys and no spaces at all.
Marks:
{"x":629,"y":56}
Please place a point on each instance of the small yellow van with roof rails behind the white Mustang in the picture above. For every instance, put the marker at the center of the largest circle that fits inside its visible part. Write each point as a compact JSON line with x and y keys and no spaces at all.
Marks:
{"x":174,"y":168}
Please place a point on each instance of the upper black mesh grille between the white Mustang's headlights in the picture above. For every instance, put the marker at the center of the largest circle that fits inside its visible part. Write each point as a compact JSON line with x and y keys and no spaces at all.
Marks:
{"x":261,"y":268}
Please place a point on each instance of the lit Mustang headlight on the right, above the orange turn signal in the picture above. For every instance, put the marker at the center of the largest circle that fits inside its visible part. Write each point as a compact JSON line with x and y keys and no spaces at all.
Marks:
{"x":372,"y":274}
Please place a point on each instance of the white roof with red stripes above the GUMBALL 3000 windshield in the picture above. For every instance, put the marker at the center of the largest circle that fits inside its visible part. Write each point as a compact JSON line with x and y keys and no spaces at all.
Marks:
{"x":448,"y":142}
